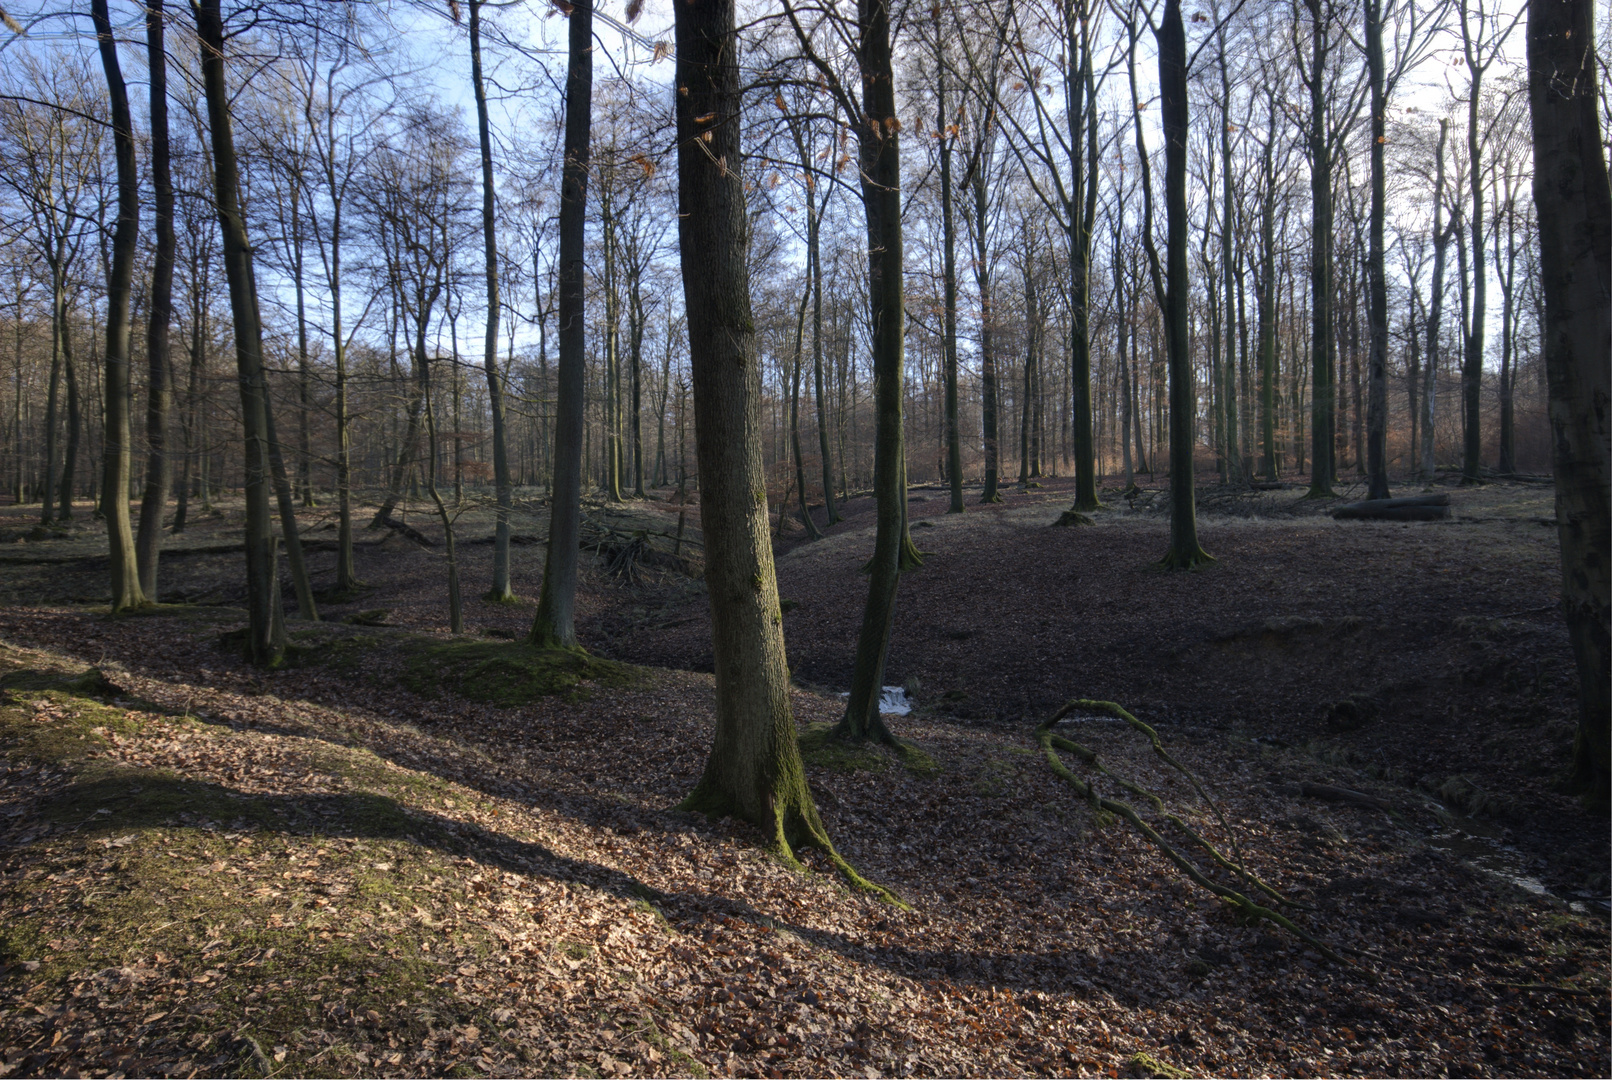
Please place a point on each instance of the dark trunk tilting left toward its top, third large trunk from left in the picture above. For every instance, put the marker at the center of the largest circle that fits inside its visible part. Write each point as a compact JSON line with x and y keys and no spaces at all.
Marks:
{"x":264,"y":639}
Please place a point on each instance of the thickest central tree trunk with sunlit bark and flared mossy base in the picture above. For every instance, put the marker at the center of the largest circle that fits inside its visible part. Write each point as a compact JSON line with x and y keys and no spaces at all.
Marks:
{"x":755,"y":770}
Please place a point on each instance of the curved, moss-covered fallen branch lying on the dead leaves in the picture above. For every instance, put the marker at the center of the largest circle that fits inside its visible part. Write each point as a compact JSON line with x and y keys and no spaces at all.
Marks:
{"x":1087,"y":789}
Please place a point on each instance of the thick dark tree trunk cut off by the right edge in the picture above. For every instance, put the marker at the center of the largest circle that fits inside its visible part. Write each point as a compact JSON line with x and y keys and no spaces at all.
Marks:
{"x":1576,"y":262}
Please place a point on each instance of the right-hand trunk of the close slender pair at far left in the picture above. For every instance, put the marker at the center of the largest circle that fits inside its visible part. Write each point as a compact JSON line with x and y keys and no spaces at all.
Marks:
{"x":159,"y":468}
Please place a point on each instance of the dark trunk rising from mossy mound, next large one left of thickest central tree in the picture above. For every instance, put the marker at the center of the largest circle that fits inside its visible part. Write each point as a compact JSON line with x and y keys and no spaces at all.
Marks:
{"x":555,"y":623}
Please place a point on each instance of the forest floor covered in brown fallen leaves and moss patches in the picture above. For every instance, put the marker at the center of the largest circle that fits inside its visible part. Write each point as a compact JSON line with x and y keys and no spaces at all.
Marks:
{"x":394,"y":858}
